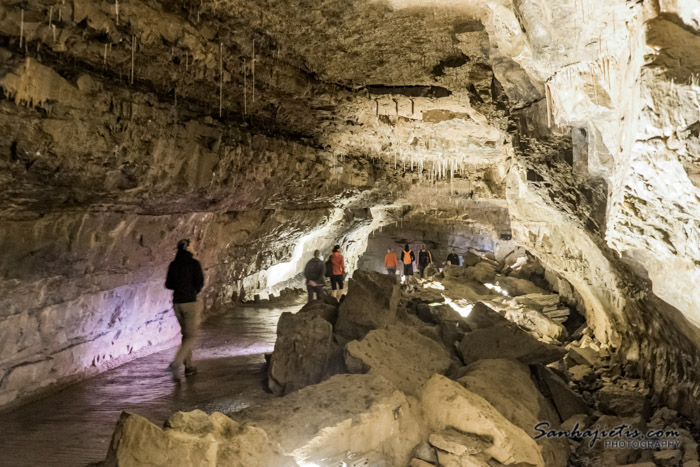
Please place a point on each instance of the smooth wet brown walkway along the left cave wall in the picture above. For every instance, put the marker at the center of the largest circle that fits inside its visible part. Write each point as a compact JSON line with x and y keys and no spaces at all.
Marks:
{"x":74,"y":426}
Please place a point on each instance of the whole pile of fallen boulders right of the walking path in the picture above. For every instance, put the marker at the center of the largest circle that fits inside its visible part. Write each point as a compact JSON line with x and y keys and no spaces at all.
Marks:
{"x":394,"y":378}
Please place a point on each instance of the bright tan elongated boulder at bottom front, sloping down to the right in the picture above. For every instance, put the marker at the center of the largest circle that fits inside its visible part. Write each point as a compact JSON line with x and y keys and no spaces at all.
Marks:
{"x":447,"y":404}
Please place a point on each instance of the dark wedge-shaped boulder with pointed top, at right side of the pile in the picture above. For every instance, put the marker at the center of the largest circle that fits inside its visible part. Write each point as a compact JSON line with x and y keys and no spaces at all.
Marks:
{"x":493,"y":336}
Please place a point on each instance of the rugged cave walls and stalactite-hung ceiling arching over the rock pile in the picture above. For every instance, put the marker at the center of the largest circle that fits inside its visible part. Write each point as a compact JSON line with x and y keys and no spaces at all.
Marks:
{"x":267,"y":131}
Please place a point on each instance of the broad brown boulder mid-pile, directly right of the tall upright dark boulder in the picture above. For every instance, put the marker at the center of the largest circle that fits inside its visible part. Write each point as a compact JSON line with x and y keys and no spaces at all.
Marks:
{"x":402,"y":355}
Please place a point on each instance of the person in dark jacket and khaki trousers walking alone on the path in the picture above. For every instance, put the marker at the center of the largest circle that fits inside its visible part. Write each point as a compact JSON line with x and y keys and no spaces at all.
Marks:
{"x":186,"y":280}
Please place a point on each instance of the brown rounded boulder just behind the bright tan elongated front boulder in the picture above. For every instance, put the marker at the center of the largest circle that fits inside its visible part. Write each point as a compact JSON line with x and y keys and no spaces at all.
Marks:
{"x":506,"y":384}
